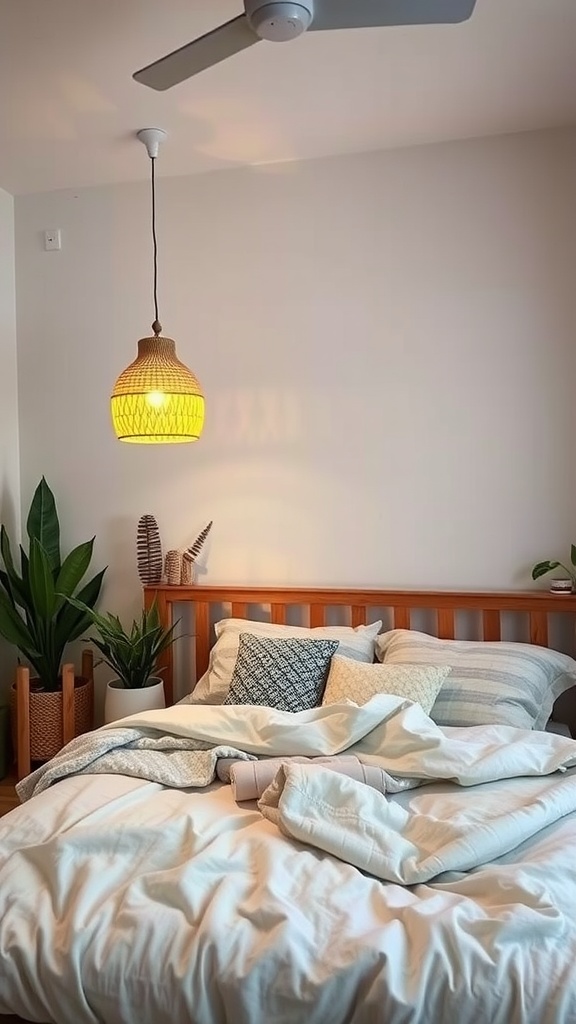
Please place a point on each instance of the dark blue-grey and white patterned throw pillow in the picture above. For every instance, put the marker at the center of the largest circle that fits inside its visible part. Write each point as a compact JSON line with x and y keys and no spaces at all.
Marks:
{"x":289,"y":675}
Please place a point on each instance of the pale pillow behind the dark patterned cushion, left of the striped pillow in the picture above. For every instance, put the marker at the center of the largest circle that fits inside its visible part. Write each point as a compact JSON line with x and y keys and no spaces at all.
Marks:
{"x":357,"y":644}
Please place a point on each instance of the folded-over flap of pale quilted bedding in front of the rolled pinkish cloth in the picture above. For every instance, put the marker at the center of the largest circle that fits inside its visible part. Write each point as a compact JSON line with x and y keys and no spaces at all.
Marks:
{"x":368,"y":830}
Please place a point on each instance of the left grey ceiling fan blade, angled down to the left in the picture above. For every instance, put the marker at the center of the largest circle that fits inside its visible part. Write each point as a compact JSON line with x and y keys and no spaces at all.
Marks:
{"x":201,"y":54}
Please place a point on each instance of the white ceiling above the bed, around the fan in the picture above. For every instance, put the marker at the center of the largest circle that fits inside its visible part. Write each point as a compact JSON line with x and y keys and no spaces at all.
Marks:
{"x":69,"y":106}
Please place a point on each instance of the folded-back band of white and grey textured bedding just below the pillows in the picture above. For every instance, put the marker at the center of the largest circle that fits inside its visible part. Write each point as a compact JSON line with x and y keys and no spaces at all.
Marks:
{"x":180,"y":747}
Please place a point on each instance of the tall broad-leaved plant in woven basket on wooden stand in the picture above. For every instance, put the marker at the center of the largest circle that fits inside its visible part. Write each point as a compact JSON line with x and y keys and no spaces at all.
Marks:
{"x":36,"y":617}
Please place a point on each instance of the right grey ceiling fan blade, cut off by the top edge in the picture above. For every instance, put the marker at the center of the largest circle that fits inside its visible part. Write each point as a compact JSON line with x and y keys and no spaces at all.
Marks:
{"x":373,"y":14}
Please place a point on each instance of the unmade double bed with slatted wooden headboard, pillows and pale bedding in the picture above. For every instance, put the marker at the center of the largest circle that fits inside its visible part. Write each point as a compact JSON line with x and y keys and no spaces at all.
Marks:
{"x":440,"y":887}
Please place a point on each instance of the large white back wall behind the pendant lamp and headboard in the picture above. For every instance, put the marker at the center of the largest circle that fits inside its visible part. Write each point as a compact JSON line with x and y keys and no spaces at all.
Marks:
{"x":388,"y":348}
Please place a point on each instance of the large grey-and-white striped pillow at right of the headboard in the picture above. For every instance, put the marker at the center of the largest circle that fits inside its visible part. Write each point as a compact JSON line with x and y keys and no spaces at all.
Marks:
{"x":490,"y":684}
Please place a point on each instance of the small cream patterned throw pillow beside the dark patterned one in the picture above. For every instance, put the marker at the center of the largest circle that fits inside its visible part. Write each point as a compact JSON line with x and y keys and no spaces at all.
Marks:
{"x":358,"y":682}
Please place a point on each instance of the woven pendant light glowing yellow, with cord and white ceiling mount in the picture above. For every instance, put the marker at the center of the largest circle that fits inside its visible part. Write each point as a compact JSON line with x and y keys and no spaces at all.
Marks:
{"x":157,"y":400}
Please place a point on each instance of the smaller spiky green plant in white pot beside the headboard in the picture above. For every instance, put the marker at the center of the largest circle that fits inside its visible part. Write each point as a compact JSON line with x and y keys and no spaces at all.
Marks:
{"x":134,"y":656}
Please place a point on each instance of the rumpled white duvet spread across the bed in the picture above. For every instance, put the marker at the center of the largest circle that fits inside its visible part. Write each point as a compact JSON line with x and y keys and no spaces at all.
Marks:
{"x":125,"y":902}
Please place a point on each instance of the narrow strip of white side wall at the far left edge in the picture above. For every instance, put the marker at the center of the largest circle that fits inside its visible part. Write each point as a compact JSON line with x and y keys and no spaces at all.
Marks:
{"x":10,"y":464}
